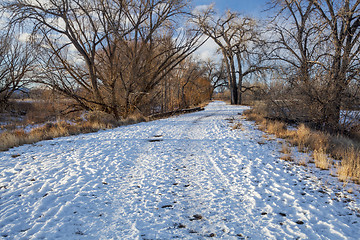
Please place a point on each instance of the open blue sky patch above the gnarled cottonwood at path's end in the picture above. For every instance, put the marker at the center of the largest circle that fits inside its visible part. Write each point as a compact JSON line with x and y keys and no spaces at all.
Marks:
{"x":247,"y":7}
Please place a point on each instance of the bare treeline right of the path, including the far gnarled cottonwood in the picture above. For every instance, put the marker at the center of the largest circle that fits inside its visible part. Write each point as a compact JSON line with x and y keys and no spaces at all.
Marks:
{"x":307,"y":55}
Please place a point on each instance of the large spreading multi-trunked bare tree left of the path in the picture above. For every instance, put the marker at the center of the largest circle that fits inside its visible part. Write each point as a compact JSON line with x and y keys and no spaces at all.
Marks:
{"x":106,"y":55}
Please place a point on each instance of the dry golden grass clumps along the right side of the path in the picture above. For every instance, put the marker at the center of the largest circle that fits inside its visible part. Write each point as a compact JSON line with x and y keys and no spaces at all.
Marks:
{"x":325,"y":147}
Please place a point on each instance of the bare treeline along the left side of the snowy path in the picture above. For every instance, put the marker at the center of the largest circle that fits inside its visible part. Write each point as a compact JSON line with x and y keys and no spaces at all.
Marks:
{"x":119,"y":57}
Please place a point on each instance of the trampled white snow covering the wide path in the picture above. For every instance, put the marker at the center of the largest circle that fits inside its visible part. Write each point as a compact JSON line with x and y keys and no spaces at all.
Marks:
{"x":186,"y":177}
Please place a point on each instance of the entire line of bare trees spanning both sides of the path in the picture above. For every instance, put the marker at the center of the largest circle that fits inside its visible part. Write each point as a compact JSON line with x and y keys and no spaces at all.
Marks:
{"x":126,"y":56}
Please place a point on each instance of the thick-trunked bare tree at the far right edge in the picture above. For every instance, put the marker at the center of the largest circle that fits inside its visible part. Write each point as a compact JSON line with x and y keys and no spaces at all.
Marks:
{"x":342,"y":21}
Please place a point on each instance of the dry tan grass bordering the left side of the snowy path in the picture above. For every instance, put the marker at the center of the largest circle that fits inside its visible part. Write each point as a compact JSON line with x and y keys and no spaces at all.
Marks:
{"x":42,"y":111}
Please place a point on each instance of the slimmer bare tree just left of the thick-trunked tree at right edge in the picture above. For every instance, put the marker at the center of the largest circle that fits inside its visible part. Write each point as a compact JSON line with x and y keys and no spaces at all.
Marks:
{"x":297,"y":43}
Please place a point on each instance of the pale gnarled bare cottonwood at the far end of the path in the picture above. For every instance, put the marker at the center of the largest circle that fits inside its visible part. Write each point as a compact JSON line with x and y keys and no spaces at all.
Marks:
{"x":238,"y":40}
